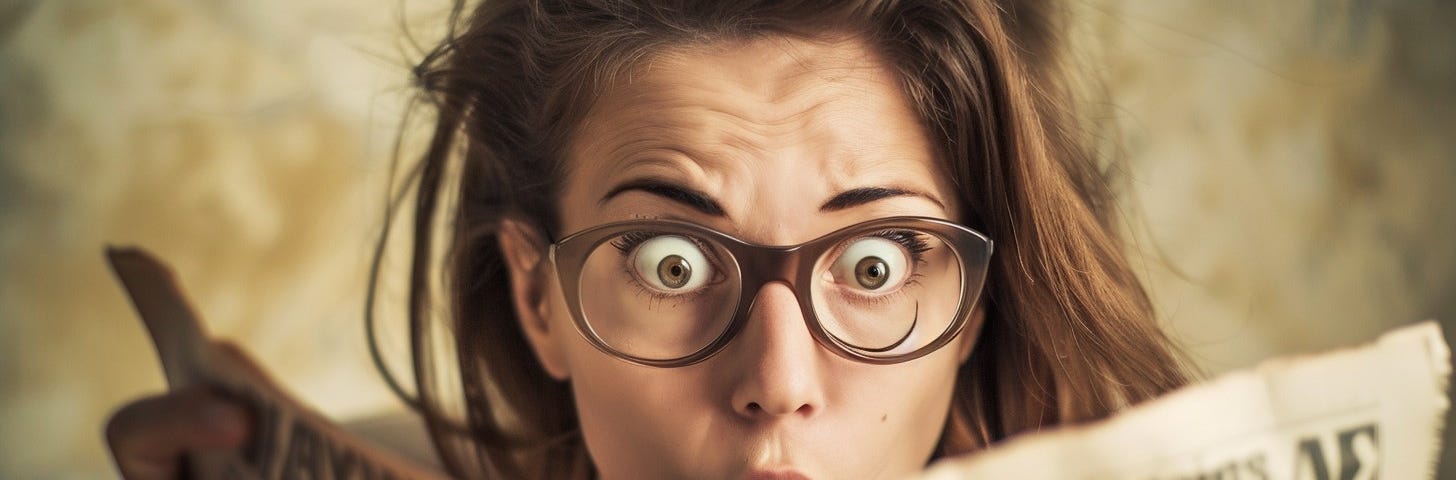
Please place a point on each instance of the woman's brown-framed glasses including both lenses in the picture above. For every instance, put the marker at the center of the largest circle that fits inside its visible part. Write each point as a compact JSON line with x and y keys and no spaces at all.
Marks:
{"x":670,"y":293}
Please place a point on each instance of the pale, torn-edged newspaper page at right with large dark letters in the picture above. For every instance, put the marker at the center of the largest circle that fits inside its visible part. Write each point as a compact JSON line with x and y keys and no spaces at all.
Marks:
{"x":1369,"y":412}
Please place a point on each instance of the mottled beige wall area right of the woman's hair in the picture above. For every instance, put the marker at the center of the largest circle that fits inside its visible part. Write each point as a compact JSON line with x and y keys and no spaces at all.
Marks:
{"x":1292,"y":161}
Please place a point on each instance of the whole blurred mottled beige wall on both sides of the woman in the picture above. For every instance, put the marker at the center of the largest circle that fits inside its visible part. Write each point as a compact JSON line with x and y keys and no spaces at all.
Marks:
{"x":1291,"y":172}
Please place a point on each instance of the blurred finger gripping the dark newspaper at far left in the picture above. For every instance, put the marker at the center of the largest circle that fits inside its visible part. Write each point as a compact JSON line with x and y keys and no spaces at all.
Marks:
{"x":149,"y":437}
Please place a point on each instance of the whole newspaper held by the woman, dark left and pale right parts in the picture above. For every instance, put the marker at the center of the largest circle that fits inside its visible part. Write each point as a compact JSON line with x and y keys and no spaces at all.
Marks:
{"x":1369,"y":412}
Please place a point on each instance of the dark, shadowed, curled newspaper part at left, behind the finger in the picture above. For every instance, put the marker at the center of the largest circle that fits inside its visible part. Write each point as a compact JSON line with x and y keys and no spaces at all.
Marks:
{"x":289,"y":441}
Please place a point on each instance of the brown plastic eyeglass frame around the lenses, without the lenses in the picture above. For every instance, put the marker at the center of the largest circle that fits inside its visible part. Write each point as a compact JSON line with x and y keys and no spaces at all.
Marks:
{"x":774,"y":264}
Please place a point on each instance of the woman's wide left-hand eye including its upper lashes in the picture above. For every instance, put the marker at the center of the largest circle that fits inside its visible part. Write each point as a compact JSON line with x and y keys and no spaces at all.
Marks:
{"x":666,"y":264}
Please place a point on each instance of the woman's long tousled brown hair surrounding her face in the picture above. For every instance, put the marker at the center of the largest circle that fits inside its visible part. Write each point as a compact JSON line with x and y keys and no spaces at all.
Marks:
{"x":1069,"y":332}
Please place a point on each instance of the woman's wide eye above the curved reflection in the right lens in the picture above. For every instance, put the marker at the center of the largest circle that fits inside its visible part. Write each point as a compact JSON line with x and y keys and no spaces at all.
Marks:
{"x":879,"y":264}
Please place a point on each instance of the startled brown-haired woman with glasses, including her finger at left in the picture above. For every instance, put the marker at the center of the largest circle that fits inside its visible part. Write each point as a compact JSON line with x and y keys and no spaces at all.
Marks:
{"x":753,"y":239}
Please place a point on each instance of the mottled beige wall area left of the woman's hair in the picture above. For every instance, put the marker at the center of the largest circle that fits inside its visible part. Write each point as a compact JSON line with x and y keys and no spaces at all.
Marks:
{"x":244,"y":142}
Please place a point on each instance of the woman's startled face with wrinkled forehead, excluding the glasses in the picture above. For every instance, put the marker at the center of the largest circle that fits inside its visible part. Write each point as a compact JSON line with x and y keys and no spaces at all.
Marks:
{"x":755,"y":140}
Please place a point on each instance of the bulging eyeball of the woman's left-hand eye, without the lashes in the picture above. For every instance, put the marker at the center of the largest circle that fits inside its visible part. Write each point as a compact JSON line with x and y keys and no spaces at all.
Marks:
{"x":672,"y":264}
